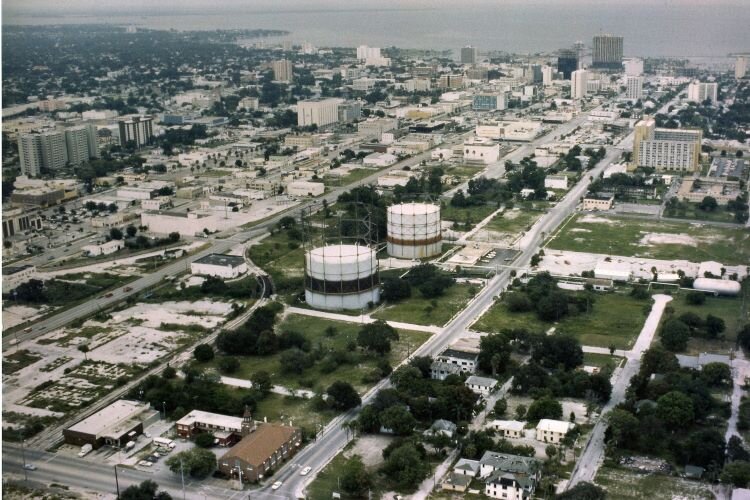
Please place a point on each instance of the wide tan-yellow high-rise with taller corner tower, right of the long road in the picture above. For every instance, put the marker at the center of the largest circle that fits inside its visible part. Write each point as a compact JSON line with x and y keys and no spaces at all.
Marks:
{"x":666,"y":148}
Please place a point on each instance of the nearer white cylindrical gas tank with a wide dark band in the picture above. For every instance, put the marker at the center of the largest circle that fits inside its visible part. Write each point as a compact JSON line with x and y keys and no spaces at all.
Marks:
{"x":341,"y":277}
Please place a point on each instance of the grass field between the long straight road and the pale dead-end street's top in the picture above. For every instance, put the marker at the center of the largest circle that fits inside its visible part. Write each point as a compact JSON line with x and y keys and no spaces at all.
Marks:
{"x":615,"y":319}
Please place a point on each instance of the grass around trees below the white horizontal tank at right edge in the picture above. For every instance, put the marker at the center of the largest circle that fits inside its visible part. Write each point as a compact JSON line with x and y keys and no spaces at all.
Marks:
{"x":733,"y":310}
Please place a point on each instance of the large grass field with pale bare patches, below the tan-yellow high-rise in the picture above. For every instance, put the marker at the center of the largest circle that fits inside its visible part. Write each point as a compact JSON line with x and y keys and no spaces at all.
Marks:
{"x":637,"y":237}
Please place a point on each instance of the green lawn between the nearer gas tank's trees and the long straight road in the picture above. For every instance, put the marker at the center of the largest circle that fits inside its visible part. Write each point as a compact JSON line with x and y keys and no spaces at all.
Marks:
{"x":420,"y":311}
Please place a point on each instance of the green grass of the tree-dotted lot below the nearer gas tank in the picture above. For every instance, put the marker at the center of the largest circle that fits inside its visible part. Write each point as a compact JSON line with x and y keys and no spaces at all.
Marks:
{"x":314,"y":378}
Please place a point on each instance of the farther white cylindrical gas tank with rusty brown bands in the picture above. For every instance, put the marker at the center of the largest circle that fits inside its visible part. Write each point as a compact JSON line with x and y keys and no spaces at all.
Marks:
{"x":414,"y":230}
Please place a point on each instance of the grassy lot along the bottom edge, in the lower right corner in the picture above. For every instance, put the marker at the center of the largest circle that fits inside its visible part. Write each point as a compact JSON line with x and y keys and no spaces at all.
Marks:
{"x":623,"y":484}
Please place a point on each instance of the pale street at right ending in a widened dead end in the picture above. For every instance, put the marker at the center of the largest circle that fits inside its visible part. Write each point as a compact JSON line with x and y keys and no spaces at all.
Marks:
{"x":593,"y":454}
